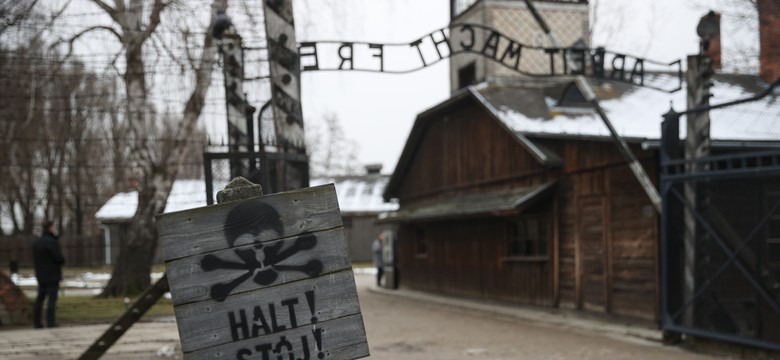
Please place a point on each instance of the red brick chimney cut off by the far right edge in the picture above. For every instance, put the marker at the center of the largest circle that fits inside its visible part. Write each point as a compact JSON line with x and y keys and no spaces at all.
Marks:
{"x":769,"y":35}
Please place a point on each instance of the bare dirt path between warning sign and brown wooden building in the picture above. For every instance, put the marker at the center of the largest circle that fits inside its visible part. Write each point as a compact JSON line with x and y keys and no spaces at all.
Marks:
{"x":399,"y":328}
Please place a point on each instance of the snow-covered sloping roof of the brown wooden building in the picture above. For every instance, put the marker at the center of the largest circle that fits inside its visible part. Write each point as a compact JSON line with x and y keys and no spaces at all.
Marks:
{"x":634,"y":111}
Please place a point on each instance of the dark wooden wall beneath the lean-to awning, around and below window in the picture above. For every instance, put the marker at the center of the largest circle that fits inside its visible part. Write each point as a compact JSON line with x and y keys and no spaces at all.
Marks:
{"x":466,"y":258}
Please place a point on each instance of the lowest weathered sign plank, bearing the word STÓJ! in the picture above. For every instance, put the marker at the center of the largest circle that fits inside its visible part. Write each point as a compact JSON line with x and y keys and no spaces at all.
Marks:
{"x":343,"y":338}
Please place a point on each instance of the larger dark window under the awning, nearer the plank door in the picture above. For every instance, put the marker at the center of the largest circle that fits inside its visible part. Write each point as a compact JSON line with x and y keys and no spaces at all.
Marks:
{"x":528,"y":236}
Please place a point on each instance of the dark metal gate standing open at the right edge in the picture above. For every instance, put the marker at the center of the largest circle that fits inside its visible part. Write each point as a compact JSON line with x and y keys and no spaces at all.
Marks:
{"x":720,"y":232}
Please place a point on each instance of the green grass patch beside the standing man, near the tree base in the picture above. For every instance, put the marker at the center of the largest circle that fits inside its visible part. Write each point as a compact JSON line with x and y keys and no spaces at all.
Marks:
{"x":73,"y":310}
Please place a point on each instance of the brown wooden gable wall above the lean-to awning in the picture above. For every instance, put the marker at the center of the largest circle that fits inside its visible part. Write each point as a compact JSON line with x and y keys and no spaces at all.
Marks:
{"x":468,"y":151}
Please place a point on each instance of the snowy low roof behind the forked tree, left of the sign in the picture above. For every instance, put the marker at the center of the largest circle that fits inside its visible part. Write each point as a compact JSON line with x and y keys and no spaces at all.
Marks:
{"x":185,"y":194}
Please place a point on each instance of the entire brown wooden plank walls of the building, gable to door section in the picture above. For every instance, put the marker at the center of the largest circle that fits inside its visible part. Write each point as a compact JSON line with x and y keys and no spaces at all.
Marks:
{"x":604,"y":257}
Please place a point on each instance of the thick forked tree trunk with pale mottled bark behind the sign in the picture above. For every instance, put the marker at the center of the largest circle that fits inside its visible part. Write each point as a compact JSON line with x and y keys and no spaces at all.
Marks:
{"x":131,"y":273}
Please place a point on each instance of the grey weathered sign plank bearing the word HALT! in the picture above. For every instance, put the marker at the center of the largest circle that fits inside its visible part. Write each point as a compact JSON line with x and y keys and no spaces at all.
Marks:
{"x":210,"y":323}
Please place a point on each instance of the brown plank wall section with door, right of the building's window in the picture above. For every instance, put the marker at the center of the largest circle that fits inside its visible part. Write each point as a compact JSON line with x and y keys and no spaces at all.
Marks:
{"x":609,"y":233}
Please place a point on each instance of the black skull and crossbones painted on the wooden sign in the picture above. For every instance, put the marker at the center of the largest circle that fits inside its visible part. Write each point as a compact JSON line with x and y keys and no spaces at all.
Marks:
{"x":262,"y":263}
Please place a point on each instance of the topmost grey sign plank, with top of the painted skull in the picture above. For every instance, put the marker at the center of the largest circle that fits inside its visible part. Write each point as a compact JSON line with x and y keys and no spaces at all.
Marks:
{"x":278,"y":215}
